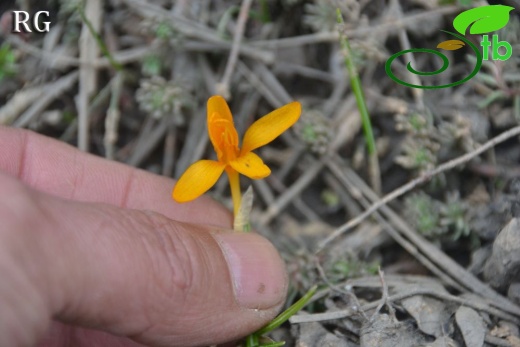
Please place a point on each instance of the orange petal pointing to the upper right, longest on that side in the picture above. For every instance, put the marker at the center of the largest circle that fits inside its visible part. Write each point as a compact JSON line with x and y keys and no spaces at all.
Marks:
{"x":269,"y":127}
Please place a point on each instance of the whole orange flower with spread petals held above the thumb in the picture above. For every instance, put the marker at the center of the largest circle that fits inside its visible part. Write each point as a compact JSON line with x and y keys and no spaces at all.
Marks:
{"x":203,"y":174}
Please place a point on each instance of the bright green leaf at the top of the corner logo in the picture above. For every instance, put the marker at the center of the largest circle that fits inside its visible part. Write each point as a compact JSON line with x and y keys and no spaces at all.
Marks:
{"x":483,"y":19}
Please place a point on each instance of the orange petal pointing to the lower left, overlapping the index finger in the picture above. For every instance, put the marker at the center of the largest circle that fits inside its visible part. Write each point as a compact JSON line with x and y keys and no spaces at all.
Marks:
{"x":197,"y":180}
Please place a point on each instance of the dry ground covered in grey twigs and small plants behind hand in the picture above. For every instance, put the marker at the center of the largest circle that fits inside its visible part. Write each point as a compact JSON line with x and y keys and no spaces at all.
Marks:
{"x":414,"y":244}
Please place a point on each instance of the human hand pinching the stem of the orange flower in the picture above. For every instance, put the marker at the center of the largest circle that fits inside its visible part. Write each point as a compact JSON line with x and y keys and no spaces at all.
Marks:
{"x":95,"y":253}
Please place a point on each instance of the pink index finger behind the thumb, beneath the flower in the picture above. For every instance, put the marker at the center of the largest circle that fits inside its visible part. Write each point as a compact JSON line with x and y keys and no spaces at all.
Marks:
{"x":59,"y":169}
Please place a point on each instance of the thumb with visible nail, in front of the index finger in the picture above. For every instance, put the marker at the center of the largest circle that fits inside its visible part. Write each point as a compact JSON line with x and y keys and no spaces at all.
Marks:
{"x":139,"y":274}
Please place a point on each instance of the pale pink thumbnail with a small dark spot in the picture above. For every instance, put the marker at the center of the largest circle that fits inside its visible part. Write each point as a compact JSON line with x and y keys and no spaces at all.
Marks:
{"x":257,"y":271}
